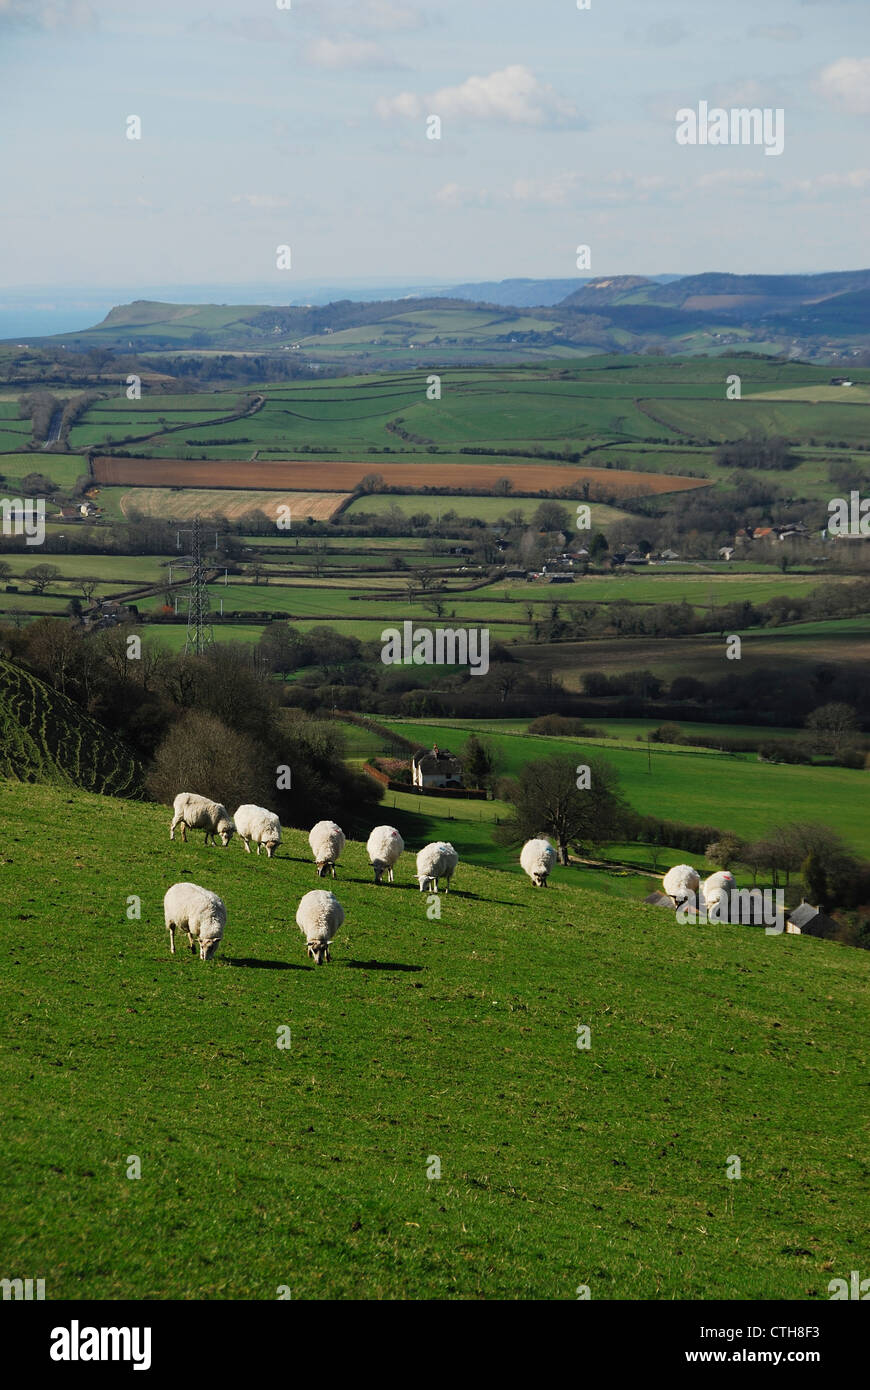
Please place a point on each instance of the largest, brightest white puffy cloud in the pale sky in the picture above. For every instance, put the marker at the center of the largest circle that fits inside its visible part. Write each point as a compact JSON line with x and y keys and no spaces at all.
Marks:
{"x":514,"y":95}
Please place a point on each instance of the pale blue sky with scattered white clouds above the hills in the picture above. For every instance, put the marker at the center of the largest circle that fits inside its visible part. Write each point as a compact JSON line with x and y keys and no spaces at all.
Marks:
{"x":304,"y":124}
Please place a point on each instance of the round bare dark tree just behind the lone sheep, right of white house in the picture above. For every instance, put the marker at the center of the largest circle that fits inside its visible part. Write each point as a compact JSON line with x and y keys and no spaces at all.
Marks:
{"x":547,"y":800}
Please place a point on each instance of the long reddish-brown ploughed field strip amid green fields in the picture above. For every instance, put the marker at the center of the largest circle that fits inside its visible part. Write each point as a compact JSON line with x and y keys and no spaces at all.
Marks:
{"x":305,"y":476}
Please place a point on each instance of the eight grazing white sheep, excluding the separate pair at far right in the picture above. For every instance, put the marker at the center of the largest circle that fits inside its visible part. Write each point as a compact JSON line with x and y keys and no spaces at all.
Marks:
{"x":202,"y":915}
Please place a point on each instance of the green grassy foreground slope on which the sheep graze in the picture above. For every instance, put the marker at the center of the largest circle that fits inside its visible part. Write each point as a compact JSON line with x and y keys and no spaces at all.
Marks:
{"x":452,"y":1039}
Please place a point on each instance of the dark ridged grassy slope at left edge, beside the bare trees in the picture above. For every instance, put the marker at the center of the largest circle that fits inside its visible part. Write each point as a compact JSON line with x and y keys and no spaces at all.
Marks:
{"x":45,"y":737}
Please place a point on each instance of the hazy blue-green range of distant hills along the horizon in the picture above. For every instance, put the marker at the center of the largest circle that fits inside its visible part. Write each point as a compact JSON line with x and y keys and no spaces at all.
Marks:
{"x":815,"y":318}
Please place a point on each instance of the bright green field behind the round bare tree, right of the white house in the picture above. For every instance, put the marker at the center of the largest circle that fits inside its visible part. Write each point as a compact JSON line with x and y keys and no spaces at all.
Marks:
{"x":730,"y":792}
